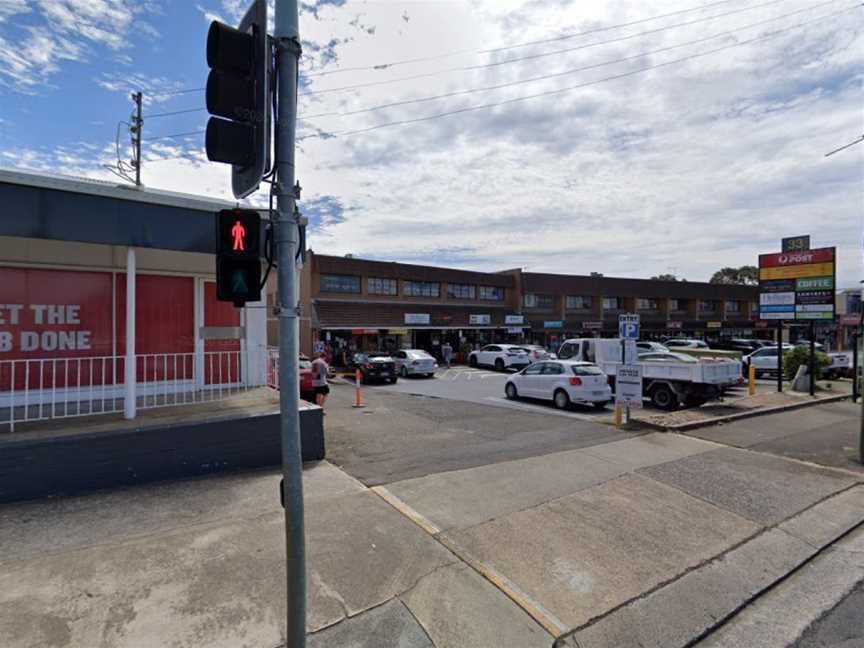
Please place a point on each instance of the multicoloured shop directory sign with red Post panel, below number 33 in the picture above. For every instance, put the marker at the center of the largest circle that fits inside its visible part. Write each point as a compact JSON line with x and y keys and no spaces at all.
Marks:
{"x":797,"y":285}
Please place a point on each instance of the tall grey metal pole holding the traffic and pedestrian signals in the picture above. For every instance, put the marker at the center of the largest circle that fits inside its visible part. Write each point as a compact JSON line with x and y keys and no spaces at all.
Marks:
{"x":287,"y":41}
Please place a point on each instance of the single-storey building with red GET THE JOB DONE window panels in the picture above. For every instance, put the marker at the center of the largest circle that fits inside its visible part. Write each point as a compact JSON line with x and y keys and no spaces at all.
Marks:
{"x":108,"y":312}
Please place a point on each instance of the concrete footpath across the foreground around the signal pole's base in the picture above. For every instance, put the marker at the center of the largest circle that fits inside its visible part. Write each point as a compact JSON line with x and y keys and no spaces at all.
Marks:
{"x":656,"y":540}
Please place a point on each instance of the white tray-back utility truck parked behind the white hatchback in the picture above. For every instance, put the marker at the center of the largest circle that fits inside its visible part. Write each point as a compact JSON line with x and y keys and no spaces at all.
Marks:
{"x":669,"y":379}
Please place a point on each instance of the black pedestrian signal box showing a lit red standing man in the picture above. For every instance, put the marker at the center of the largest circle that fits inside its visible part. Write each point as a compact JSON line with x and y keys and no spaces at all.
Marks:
{"x":238,"y":256}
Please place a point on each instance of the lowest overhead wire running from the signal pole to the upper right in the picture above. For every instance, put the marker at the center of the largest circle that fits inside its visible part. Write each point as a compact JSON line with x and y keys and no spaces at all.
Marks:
{"x":559,"y":91}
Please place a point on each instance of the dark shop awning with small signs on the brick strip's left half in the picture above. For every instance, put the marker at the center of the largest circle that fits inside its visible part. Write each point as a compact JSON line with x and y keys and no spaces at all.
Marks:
{"x":368,"y":315}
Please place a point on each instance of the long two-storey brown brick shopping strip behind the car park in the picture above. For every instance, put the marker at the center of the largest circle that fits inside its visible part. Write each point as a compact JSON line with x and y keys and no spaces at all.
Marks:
{"x":367,"y":304}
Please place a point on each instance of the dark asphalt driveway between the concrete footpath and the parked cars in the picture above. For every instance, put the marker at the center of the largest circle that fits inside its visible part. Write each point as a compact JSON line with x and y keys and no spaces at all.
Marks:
{"x":399,"y":435}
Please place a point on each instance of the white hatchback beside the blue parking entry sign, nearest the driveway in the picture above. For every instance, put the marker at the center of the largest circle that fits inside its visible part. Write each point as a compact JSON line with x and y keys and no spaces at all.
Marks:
{"x":561,"y":381}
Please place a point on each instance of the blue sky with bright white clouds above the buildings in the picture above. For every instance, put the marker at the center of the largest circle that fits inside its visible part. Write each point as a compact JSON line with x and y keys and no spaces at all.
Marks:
{"x":627,"y":137}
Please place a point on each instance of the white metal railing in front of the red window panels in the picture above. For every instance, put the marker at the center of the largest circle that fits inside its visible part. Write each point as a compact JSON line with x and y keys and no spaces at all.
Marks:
{"x":55,"y":388}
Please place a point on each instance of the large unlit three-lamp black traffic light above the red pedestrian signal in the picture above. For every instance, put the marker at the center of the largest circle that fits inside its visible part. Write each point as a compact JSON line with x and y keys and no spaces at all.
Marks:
{"x":238,"y":95}
